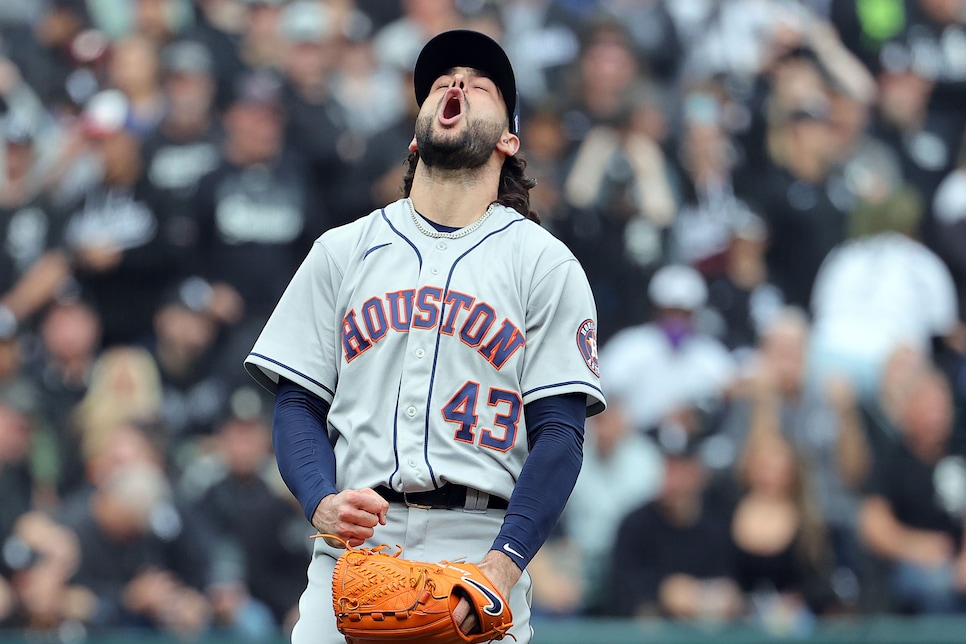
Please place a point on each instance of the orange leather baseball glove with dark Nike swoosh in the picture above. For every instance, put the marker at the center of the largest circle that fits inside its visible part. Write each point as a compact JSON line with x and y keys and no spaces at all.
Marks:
{"x":380,"y":597}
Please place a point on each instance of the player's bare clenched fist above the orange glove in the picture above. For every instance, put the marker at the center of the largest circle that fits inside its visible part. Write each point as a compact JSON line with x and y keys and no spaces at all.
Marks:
{"x":350,"y":514}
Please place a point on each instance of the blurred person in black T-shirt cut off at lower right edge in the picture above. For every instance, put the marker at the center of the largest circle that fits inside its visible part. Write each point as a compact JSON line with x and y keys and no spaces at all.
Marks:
{"x":913,"y":513}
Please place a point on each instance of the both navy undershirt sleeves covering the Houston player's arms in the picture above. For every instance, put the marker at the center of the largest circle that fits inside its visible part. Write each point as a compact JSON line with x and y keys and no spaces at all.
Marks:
{"x":555,"y":431}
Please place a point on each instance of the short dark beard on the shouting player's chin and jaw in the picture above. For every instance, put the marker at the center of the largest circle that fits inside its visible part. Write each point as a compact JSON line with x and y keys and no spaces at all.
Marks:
{"x":469,"y":150}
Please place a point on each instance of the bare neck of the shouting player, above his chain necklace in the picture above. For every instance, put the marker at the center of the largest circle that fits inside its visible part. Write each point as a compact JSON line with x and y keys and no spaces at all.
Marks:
{"x":453,"y":199}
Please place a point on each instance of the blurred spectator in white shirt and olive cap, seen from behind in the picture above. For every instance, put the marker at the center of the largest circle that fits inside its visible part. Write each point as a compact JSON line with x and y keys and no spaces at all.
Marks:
{"x":882,"y":274}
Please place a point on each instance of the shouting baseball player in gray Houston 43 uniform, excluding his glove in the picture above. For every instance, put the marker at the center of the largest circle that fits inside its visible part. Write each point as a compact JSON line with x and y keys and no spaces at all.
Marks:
{"x":434,"y":361}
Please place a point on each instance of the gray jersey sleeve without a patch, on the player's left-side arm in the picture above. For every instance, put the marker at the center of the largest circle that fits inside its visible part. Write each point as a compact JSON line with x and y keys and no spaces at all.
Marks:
{"x":300,"y":339}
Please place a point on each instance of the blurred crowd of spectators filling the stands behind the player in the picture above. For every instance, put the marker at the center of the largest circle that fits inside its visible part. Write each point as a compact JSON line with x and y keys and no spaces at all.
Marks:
{"x":768,"y":197}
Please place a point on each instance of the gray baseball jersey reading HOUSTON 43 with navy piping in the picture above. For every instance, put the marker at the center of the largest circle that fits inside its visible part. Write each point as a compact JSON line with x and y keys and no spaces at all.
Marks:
{"x":428,"y":345}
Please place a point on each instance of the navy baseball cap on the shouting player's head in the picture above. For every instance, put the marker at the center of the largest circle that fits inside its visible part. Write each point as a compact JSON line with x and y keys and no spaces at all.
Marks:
{"x":466,"y":48}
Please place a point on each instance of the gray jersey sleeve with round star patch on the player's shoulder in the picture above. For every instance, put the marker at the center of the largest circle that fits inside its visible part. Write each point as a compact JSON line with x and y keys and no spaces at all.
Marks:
{"x":561,"y":350}
